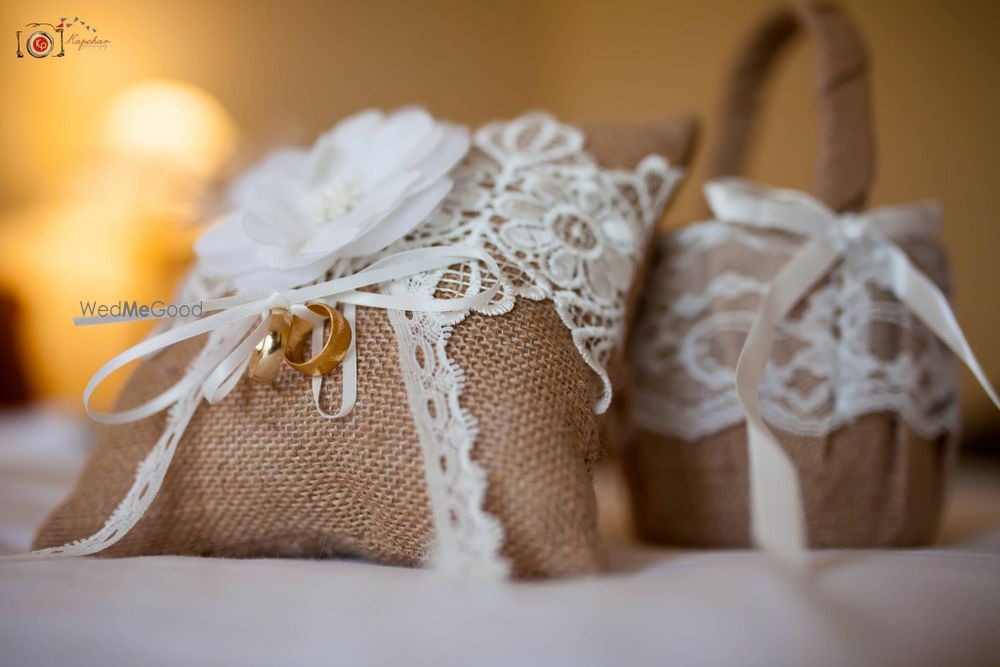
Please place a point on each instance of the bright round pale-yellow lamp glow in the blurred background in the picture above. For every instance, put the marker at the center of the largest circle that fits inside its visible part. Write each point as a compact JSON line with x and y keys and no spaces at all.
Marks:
{"x":170,"y":121}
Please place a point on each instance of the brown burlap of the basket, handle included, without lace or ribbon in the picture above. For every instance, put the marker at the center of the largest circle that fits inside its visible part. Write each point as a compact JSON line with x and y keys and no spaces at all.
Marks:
{"x":873,"y":482}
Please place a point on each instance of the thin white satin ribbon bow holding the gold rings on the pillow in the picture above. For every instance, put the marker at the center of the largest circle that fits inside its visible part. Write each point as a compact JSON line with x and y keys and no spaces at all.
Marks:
{"x":235,"y":318}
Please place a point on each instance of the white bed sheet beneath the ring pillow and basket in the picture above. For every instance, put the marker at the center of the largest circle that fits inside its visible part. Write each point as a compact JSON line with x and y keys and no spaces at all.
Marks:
{"x":937,"y":606}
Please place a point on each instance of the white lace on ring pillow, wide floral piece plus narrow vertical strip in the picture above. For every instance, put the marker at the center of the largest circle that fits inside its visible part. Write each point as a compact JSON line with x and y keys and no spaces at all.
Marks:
{"x":562,"y":229}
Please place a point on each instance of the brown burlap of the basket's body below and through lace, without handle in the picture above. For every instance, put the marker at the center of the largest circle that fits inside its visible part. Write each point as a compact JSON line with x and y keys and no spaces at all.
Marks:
{"x":875,"y":482}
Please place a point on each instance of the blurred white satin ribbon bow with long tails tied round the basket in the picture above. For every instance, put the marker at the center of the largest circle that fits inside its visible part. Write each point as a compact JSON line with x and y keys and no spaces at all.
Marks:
{"x":777,"y":514}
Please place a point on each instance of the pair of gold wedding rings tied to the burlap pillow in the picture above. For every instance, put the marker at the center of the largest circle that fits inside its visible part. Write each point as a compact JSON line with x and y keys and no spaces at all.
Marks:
{"x":285,"y":338}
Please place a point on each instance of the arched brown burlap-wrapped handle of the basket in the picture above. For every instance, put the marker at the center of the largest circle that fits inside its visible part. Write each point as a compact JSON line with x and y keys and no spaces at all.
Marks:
{"x":847,"y":148}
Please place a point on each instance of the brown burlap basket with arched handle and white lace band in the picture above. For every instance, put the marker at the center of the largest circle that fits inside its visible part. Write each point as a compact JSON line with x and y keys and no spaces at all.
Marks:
{"x":859,"y":393}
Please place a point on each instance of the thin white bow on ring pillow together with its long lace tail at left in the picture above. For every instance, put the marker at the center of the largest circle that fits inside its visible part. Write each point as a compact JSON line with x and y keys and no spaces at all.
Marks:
{"x":235,"y":325}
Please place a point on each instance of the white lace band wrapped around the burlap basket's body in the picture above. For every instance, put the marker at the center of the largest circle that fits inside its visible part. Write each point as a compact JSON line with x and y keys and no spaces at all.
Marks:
{"x":839,"y":355}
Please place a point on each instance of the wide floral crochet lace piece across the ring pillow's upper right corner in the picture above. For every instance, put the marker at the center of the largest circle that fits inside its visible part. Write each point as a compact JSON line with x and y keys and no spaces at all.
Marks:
{"x":562,"y":228}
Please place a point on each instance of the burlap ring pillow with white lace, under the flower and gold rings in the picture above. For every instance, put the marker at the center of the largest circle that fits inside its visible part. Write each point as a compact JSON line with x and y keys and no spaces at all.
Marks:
{"x":476,"y":438}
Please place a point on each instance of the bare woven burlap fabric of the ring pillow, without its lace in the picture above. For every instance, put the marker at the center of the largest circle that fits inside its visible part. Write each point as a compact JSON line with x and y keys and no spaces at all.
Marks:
{"x":260,"y":474}
